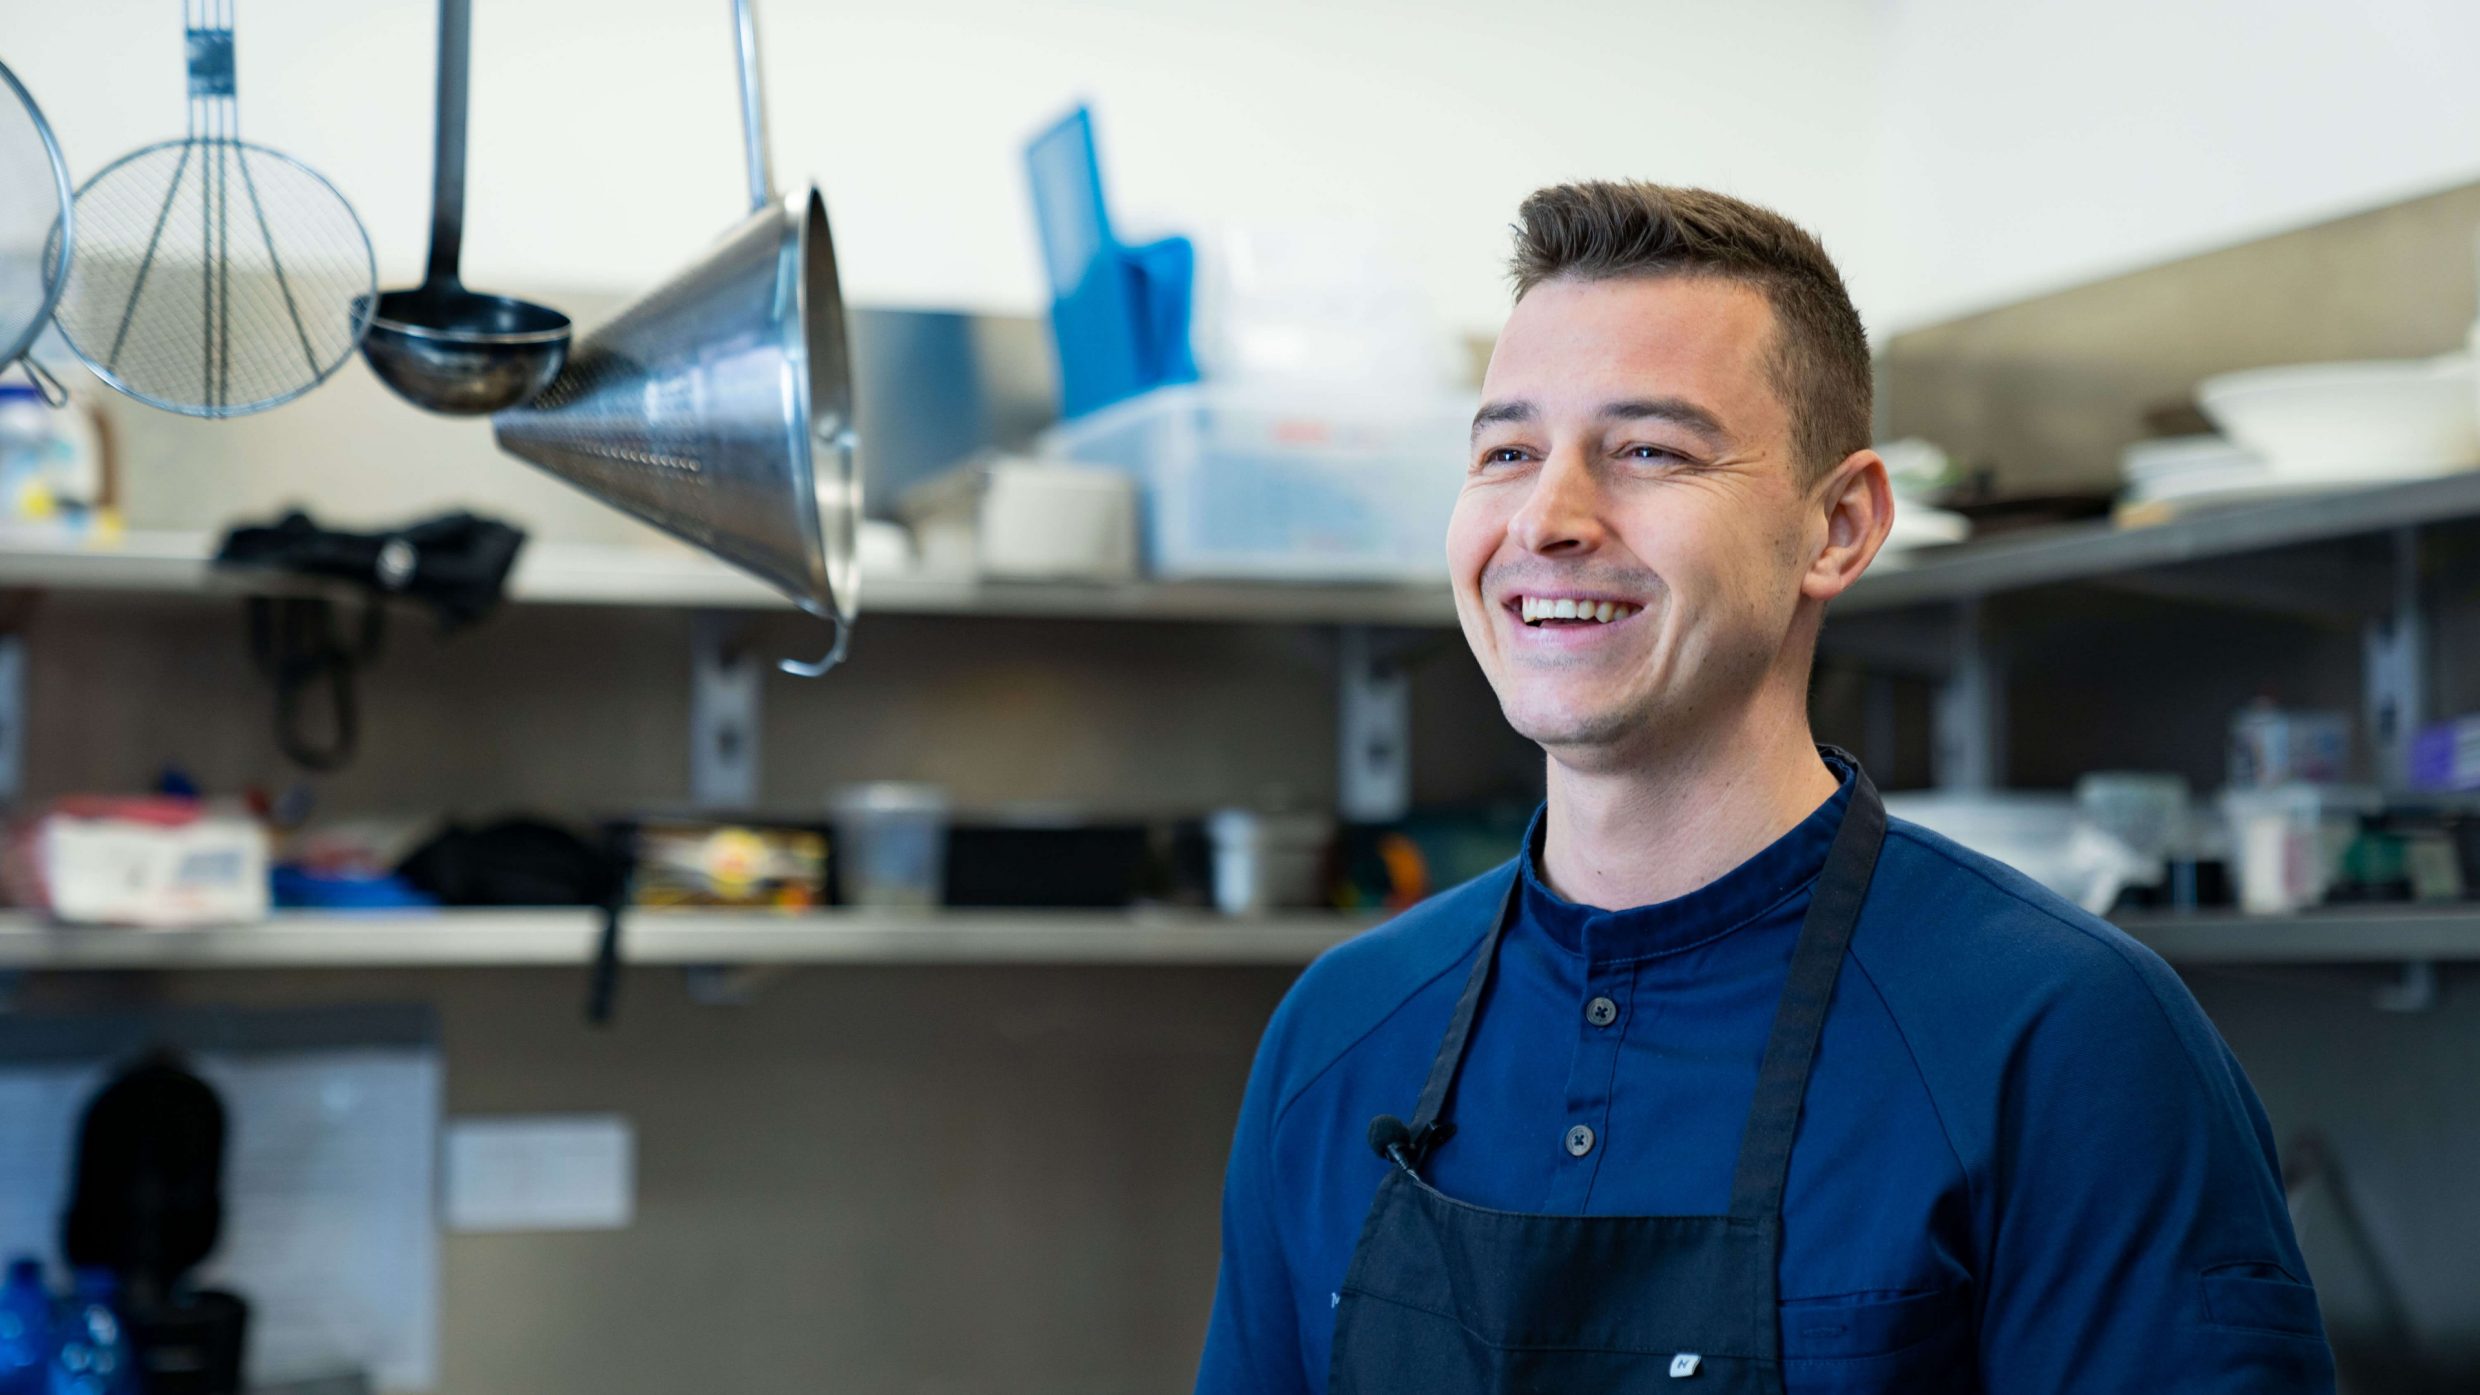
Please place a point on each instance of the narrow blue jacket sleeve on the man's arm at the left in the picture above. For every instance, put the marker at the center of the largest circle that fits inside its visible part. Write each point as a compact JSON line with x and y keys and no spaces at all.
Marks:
{"x":1254,"y":1337}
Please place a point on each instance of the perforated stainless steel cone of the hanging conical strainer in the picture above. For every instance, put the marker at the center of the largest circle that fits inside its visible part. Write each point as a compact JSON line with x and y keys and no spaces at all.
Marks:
{"x":720,"y":408}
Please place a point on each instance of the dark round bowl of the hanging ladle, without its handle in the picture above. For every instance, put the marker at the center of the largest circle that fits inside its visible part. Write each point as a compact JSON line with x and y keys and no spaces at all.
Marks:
{"x":465,"y":354}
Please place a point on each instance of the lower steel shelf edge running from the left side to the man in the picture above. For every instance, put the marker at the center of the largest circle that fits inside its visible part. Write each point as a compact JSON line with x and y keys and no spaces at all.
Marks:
{"x":567,"y":937}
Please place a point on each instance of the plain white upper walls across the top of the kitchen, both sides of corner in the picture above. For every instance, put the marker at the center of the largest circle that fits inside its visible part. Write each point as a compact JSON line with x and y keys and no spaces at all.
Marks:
{"x":1953,"y":153}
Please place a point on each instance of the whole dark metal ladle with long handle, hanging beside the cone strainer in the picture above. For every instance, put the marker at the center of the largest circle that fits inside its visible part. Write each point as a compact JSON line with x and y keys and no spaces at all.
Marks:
{"x":440,"y":346}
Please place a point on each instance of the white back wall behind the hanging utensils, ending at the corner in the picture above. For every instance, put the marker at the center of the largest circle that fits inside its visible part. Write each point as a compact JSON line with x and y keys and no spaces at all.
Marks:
{"x":606,"y":133}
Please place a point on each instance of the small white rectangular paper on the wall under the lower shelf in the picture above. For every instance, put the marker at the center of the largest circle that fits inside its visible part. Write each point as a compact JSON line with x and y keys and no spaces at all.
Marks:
{"x":539,"y":1173}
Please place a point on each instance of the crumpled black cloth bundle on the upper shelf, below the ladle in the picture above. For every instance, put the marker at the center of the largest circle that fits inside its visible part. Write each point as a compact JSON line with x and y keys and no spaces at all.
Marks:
{"x":458,"y":565}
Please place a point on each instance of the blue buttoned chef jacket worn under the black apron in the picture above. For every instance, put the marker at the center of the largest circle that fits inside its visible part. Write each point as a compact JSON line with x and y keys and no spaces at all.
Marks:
{"x":2027,"y":1163}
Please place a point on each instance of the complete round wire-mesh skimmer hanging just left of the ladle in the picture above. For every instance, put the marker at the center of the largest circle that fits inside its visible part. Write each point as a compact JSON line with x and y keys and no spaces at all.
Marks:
{"x":215,"y":277}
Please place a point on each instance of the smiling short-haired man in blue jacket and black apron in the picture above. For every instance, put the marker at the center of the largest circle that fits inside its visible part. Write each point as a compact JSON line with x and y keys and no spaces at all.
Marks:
{"x":1727,"y":1083}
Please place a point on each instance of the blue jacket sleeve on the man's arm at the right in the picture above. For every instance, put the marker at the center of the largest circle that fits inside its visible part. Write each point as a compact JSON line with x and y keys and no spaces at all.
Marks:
{"x":2141,"y":1240}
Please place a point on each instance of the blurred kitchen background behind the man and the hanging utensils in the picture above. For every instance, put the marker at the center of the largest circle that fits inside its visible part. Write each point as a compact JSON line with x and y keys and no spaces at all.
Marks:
{"x":534,"y":989}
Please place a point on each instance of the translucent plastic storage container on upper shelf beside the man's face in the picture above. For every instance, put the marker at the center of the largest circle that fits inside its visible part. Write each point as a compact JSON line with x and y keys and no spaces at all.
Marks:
{"x":1251,"y":485}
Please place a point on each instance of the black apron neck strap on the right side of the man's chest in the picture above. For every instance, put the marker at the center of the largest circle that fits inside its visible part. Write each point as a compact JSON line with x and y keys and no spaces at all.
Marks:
{"x":1782,"y":1081}
